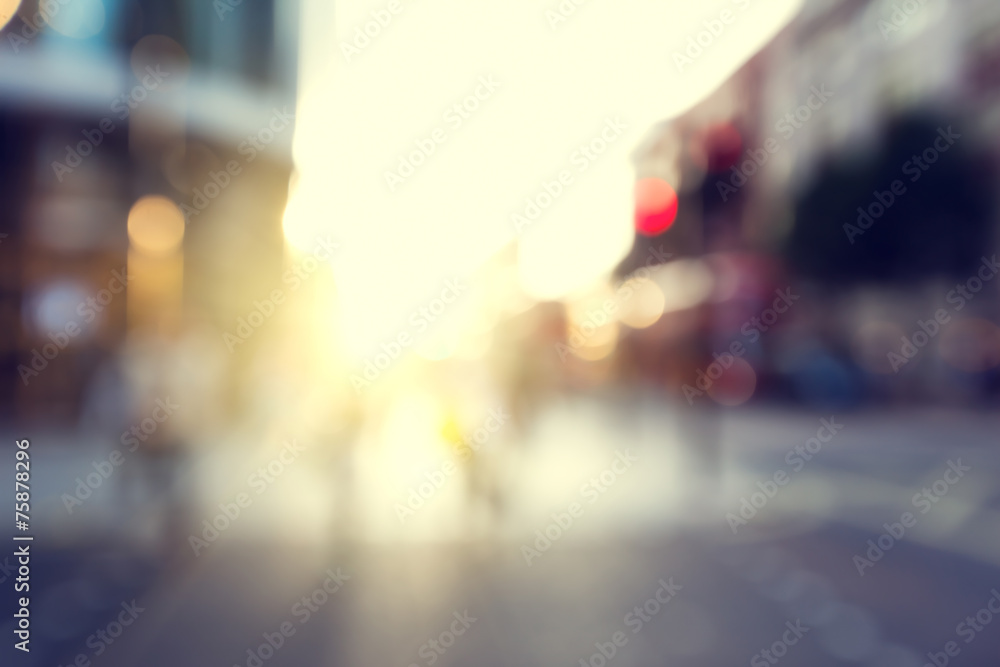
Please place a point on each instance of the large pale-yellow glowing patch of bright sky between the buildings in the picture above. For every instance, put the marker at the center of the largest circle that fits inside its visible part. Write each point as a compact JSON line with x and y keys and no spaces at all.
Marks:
{"x":541,"y":153}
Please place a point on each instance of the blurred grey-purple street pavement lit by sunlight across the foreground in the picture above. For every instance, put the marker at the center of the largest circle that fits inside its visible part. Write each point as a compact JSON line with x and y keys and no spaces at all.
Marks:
{"x":567,"y":553}
